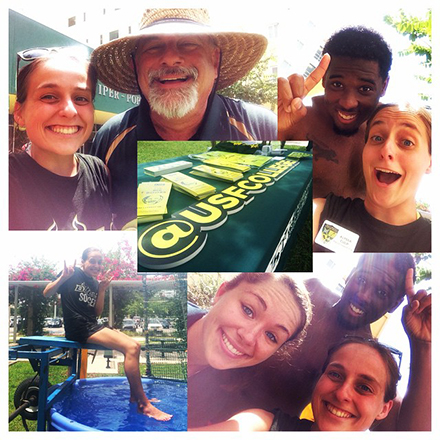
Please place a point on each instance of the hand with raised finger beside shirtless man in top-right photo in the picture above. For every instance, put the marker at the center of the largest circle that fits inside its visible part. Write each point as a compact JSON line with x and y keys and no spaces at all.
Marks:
{"x":293,"y":90}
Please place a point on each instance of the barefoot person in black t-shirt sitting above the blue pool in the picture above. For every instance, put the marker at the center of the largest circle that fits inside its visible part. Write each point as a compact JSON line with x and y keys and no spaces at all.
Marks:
{"x":82,"y":299}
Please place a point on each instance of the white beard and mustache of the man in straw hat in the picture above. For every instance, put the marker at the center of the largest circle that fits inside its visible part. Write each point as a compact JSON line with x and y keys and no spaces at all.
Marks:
{"x":173,"y":103}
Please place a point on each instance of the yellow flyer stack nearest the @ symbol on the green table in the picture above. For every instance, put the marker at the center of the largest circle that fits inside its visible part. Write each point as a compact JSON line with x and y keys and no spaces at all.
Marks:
{"x":152,"y":201}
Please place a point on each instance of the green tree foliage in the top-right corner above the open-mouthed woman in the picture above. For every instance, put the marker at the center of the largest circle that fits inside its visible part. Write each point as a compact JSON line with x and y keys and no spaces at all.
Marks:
{"x":419,"y":33}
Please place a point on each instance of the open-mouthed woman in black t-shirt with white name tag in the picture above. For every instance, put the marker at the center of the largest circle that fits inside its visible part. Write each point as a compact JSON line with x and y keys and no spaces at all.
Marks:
{"x":396,"y":155}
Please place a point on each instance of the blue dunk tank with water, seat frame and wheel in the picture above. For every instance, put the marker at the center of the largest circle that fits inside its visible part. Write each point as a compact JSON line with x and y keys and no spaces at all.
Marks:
{"x":96,"y":404}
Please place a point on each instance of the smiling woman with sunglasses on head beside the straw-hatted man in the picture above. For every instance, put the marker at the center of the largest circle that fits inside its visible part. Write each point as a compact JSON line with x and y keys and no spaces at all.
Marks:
{"x":51,"y":186}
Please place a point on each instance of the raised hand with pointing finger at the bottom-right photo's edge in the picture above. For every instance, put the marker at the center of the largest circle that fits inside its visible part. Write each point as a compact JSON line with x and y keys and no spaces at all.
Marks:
{"x":416,"y":316}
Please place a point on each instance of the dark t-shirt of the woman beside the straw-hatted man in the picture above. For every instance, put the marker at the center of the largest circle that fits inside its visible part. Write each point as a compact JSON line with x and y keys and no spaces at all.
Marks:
{"x":42,"y":200}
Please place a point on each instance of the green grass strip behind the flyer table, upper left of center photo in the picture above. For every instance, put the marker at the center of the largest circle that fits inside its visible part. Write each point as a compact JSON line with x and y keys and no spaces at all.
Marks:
{"x":152,"y":151}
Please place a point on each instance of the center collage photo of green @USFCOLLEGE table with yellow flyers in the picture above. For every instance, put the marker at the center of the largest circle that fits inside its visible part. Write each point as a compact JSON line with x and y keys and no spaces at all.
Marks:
{"x":224,"y":206}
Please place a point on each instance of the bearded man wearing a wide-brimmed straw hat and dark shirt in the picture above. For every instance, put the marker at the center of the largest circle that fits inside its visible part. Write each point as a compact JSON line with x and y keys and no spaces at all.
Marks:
{"x":176,"y":63}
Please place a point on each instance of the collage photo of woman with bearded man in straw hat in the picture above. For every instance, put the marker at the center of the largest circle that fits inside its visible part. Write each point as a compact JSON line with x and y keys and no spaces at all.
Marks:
{"x":74,"y":125}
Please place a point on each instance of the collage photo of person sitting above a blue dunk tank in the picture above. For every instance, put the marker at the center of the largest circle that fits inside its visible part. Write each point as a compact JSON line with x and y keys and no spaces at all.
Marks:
{"x":93,"y":345}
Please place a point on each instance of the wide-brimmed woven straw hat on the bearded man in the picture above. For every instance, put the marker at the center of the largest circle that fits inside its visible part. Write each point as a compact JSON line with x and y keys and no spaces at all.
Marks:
{"x":240,"y":51}
